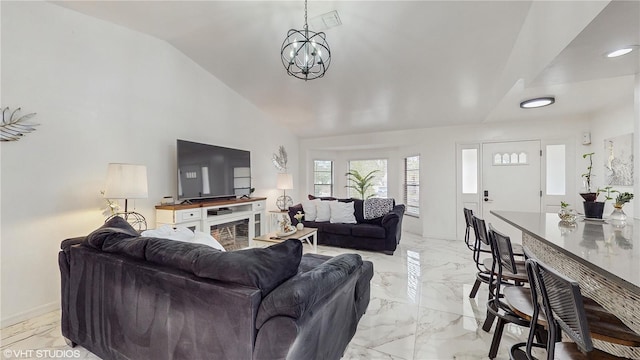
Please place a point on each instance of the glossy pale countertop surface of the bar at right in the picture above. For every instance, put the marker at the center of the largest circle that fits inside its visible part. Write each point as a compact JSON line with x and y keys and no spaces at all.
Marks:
{"x":613,"y":252}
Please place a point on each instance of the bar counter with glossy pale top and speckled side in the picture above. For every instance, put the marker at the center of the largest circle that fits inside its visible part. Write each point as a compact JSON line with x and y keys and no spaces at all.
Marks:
{"x":603,"y":259}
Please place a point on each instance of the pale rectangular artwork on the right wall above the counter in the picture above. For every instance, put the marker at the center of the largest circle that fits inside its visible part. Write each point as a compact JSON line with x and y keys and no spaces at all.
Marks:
{"x":618,"y":160}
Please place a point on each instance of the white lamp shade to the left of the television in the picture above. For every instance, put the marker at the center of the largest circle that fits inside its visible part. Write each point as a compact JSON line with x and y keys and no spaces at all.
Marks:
{"x":126,"y":181}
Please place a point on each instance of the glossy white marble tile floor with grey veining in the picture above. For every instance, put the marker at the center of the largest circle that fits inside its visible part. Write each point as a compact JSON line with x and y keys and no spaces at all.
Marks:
{"x":419,"y":310}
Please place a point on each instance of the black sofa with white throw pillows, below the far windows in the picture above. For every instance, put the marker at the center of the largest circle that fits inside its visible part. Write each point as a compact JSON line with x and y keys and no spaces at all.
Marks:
{"x":379,"y":234}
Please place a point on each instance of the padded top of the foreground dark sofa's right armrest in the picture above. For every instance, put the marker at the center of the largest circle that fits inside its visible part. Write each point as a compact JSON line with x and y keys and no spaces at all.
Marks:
{"x":300,"y":293}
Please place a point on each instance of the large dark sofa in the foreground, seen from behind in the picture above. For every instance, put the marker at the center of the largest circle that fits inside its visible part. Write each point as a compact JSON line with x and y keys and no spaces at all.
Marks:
{"x":130,"y":297}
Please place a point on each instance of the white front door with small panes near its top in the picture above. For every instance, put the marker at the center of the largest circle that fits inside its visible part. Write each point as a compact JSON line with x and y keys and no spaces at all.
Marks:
{"x":510,"y":181}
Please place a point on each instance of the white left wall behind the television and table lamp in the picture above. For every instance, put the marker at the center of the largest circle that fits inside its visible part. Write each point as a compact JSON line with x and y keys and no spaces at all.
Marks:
{"x":102,"y":93}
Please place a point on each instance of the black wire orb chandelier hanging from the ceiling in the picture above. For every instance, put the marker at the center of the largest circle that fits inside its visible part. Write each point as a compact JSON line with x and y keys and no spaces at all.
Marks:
{"x":305,"y":54}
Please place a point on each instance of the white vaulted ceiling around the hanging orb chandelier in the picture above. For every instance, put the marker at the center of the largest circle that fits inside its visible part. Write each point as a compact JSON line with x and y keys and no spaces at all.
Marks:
{"x":404,"y":64}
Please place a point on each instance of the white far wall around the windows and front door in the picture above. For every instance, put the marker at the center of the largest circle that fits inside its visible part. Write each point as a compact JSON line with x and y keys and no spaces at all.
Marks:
{"x":437,"y":150}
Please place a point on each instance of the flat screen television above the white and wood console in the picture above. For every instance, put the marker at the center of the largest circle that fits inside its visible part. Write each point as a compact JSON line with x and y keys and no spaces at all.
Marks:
{"x":210,"y":172}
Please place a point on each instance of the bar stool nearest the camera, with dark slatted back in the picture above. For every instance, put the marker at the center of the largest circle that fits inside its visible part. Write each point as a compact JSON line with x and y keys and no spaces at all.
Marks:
{"x":562,"y":305}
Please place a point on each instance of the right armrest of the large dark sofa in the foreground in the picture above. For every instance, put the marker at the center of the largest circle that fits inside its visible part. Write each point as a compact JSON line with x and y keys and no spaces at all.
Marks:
{"x":316,"y":317}
